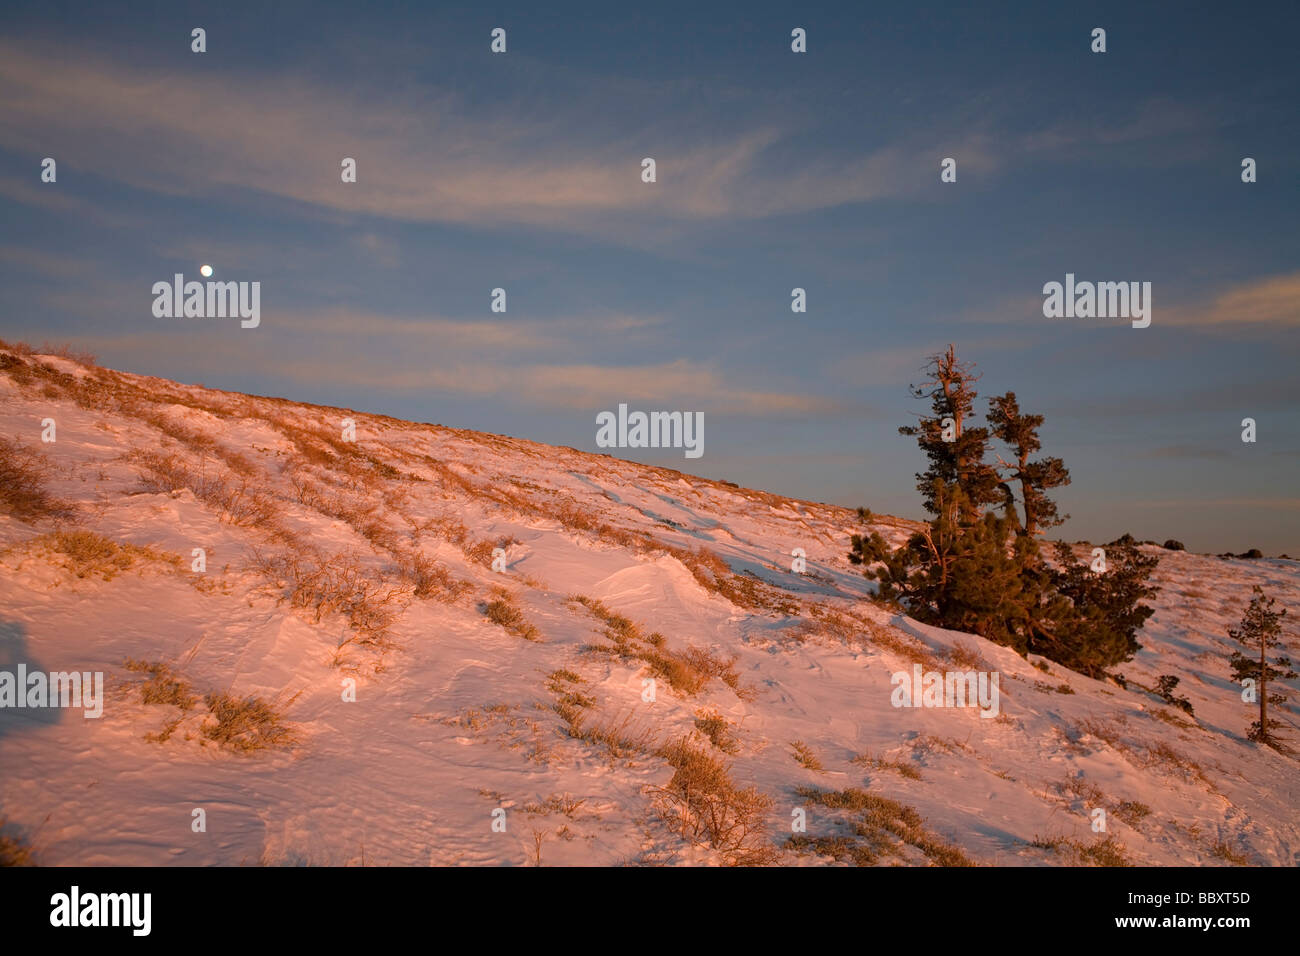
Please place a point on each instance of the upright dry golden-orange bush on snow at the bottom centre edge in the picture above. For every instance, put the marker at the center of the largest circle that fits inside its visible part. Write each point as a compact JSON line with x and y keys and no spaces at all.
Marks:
{"x":705,"y":806}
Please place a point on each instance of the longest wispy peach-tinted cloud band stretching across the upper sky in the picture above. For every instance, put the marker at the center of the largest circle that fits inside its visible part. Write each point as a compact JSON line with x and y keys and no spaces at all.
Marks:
{"x":419,"y":158}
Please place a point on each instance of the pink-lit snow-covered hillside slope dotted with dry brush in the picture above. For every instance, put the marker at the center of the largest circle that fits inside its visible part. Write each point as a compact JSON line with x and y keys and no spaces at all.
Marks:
{"x":369,"y":564}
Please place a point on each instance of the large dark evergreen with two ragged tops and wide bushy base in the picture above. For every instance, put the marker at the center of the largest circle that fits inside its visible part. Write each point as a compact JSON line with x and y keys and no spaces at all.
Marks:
{"x":978,"y":569}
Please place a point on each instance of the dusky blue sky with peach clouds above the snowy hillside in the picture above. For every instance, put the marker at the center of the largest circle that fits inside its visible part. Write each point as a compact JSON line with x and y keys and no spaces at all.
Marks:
{"x":821,"y":171}
